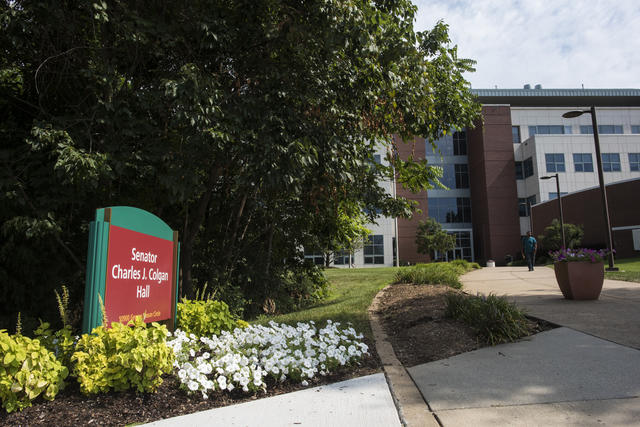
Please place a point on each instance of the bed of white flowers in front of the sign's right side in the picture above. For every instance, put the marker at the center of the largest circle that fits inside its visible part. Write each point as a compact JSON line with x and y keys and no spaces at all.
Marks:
{"x":246,"y":357}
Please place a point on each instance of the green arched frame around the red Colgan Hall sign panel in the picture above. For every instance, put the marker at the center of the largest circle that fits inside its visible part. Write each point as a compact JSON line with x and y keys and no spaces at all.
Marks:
{"x":130,"y":218}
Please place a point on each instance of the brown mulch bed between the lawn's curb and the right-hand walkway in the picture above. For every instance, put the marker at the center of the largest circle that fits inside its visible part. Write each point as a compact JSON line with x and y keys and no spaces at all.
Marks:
{"x":413,"y":318}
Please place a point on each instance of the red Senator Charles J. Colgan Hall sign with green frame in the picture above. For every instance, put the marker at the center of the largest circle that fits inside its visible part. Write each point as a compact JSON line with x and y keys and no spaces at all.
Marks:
{"x":132,"y":268}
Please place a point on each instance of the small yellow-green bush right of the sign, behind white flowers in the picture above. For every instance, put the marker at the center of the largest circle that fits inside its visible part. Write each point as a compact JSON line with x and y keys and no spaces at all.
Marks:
{"x":205,"y":318}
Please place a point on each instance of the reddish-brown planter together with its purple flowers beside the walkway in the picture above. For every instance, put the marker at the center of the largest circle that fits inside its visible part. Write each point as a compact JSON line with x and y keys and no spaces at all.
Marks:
{"x":579,"y":272}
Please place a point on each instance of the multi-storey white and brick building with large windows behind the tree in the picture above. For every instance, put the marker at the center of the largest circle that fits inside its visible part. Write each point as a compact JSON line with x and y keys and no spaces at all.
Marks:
{"x":493,"y":171}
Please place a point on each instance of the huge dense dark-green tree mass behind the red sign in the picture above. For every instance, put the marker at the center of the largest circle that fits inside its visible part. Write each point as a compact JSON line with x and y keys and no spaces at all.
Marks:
{"x":247,"y":125}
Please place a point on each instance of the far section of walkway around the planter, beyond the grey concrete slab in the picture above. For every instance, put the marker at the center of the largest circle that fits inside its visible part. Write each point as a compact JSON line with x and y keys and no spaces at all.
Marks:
{"x":615,"y":316}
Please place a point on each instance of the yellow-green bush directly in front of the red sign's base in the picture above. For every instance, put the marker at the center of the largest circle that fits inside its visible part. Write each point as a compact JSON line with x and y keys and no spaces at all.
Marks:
{"x":124,"y":356}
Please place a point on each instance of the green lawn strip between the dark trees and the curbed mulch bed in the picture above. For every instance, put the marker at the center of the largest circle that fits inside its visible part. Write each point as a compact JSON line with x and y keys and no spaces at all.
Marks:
{"x":351,"y":293}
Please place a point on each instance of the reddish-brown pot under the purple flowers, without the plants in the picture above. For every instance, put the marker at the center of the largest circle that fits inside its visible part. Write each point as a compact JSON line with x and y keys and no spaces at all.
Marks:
{"x":580,"y":280}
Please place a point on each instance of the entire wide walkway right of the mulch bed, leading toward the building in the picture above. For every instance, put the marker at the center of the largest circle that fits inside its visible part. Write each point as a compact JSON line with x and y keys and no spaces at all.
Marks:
{"x":586,"y":373}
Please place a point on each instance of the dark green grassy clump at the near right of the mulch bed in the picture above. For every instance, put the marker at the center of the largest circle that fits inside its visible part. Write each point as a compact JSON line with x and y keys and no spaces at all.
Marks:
{"x":494,"y":319}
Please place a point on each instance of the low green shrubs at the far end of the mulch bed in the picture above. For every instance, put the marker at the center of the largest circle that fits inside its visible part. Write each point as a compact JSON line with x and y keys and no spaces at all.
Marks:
{"x":438,"y":273}
